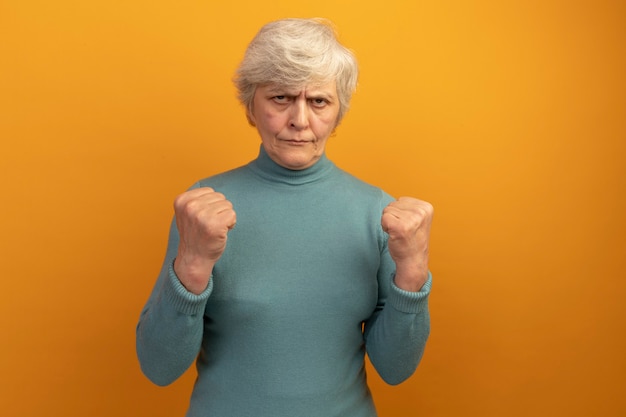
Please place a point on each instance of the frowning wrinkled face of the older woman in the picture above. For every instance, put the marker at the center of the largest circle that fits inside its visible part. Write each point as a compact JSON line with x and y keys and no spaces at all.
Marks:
{"x":295,"y":123}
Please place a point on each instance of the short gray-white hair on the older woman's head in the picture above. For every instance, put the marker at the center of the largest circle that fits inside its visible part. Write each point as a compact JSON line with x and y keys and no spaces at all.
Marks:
{"x":294,"y":53}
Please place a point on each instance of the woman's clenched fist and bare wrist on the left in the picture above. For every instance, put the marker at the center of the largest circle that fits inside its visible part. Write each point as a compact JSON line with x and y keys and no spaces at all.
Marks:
{"x":203,"y":218}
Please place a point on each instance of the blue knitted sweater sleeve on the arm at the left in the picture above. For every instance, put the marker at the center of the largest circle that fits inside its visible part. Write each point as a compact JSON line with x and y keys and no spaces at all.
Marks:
{"x":170,"y":328}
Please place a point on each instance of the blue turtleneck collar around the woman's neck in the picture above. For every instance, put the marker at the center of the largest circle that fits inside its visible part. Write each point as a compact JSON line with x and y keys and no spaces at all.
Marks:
{"x":269,"y":170}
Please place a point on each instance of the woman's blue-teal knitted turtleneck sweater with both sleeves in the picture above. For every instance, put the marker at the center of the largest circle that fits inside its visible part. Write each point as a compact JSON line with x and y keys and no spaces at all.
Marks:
{"x":303,"y":290}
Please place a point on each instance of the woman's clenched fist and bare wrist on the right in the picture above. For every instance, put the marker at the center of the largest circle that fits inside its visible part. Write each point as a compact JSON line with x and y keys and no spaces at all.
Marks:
{"x":407,"y":221}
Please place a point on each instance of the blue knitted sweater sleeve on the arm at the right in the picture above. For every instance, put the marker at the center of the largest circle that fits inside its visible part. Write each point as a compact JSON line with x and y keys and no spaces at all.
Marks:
{"x":396,"y":333}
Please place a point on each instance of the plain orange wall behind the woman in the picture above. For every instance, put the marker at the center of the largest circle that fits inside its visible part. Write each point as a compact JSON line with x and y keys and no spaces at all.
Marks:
{"x":510,"y":117}
